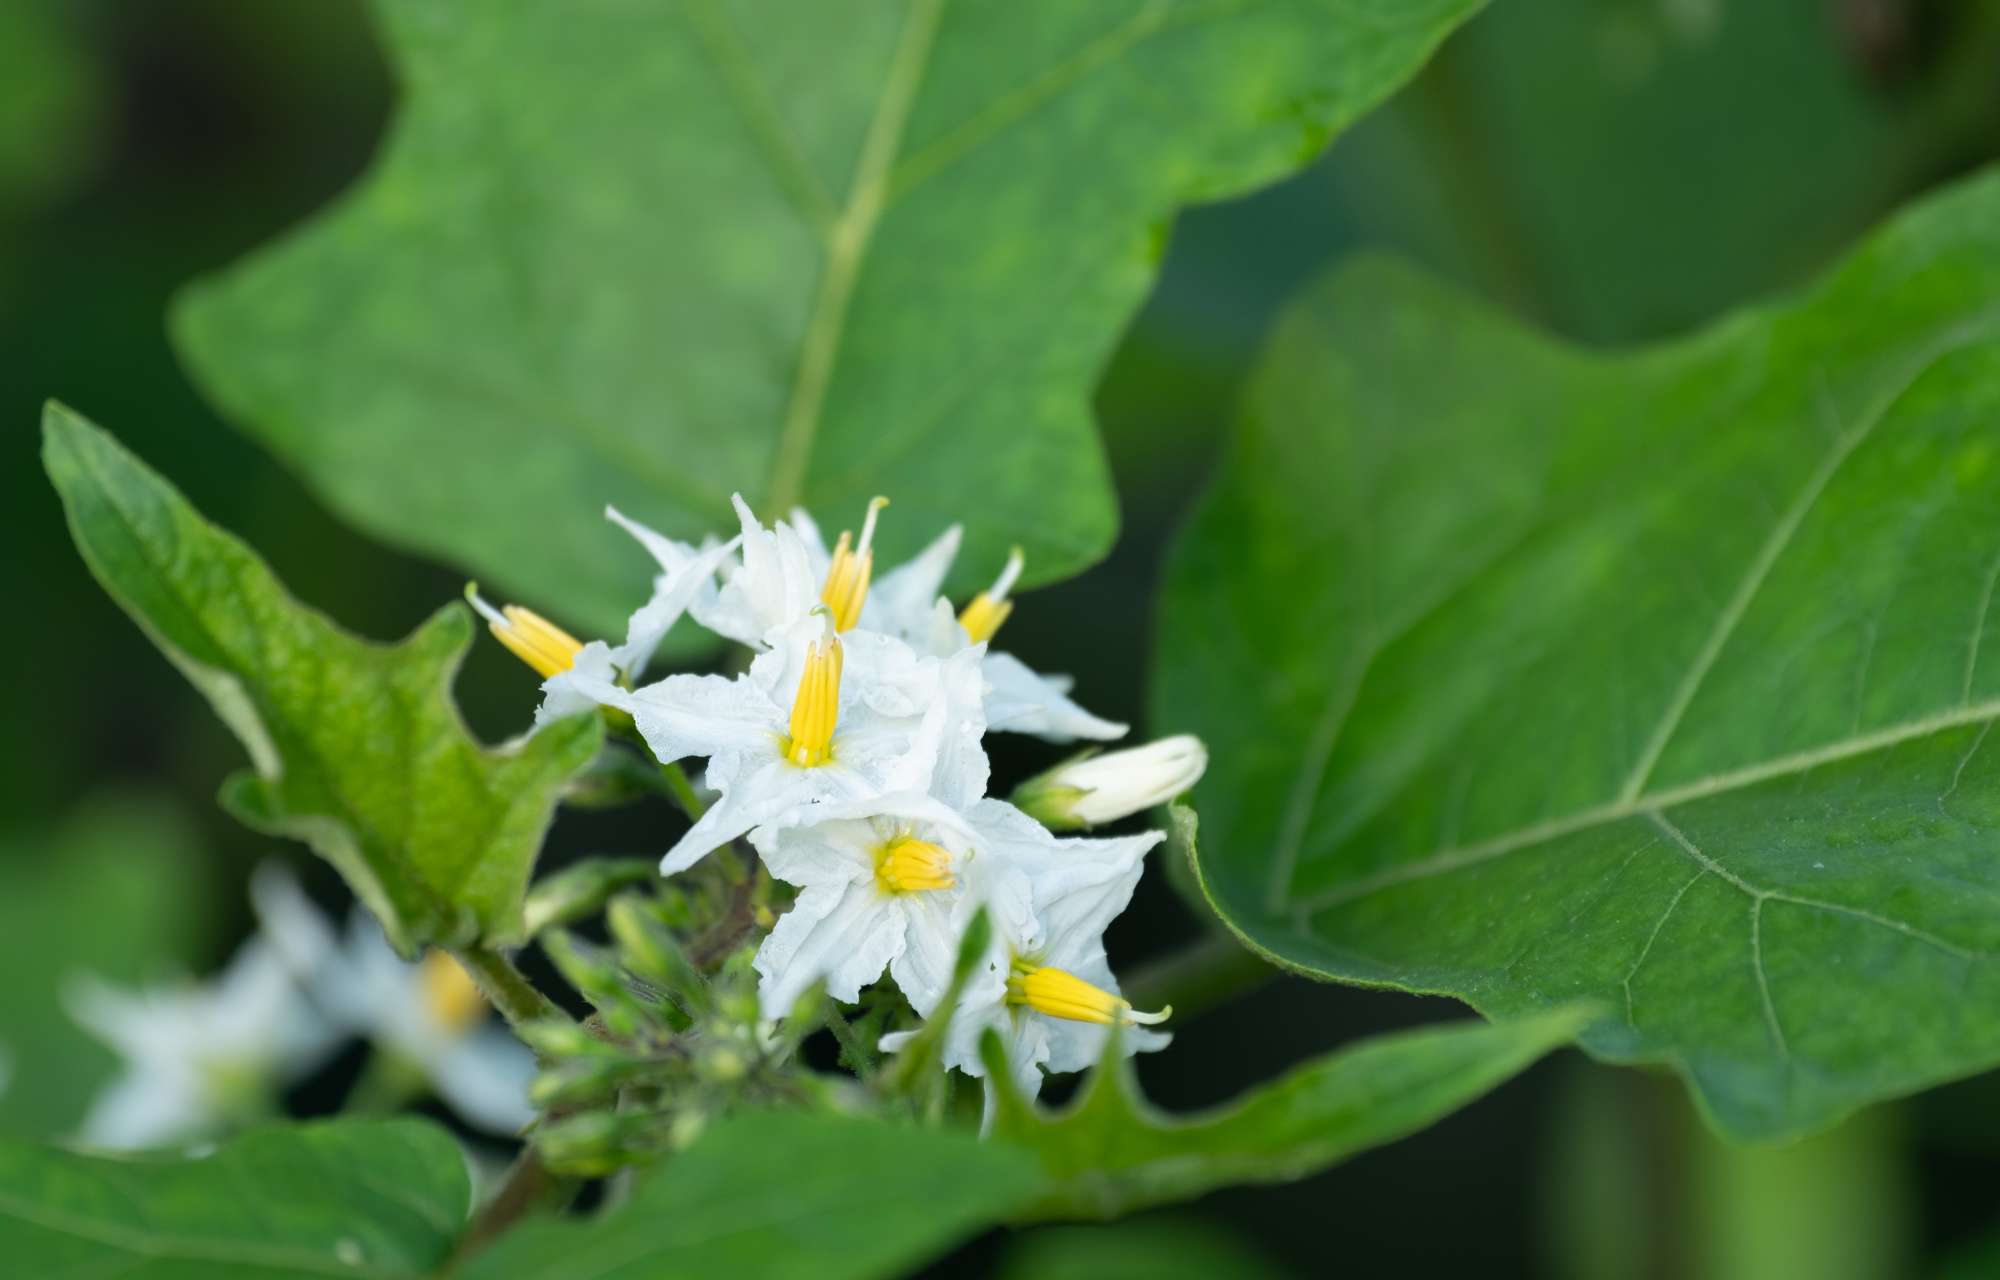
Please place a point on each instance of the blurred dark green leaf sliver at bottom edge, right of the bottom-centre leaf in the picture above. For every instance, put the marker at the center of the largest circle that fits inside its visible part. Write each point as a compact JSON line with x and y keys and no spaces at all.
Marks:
{"x":1153,"y":1249}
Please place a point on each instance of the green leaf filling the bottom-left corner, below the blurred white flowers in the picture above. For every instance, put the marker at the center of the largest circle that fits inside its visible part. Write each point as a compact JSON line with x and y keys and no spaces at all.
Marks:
{"x":339,"y":1199}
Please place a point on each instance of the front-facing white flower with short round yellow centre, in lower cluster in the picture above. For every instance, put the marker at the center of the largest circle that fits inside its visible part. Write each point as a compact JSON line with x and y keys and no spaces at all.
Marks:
{"x":885,"y":885}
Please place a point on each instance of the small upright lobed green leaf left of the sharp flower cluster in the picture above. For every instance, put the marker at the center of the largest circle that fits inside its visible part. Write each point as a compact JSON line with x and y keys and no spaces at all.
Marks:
{"x":357,"y":747}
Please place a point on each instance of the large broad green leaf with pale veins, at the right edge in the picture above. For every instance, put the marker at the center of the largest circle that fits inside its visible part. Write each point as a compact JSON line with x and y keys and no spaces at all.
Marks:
{"x":1657,"y":679}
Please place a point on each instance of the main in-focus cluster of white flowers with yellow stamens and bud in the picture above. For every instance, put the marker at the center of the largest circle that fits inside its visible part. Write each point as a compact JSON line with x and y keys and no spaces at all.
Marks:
{"x":851,"y":757}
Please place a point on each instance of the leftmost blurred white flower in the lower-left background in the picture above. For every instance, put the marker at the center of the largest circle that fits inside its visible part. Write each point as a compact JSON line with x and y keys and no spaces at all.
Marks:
{"x":201,"y":1059}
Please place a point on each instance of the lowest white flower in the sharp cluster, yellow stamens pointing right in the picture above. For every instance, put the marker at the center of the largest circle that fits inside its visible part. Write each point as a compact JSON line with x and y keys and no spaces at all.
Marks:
{"x":1051,"y":995}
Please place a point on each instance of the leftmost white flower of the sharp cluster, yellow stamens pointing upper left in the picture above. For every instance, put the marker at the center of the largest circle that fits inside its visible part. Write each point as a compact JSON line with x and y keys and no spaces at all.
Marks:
{"x":571,"y":667}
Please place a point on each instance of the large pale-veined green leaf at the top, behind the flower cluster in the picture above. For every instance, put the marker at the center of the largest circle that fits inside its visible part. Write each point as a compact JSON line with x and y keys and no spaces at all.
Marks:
{"x":651,"y":253}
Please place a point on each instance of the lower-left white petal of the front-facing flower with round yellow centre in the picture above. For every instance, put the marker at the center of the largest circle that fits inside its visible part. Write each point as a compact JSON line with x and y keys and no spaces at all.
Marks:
{"x":847,"y":935}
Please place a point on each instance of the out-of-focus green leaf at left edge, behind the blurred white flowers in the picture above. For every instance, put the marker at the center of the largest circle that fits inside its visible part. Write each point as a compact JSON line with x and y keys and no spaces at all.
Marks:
{"x":113,"y":891}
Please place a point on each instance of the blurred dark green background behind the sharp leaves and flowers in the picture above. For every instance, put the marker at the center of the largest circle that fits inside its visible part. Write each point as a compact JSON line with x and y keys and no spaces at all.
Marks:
{"x":1615,"y":171}
